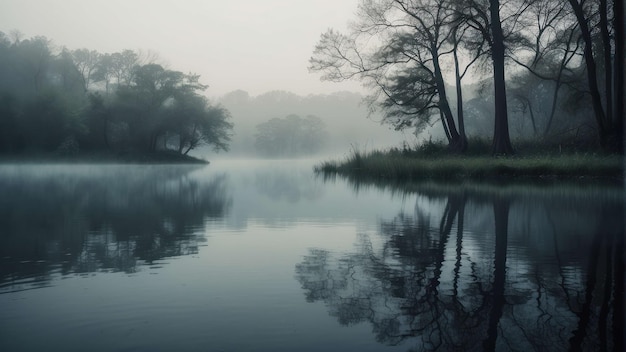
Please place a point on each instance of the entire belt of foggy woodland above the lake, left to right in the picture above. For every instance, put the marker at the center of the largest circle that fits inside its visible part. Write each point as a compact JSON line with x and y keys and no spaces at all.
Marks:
{"x":545,"y":71}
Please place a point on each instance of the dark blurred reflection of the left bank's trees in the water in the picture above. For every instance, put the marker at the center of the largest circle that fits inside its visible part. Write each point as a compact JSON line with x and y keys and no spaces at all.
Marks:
{"x":81,"y":219}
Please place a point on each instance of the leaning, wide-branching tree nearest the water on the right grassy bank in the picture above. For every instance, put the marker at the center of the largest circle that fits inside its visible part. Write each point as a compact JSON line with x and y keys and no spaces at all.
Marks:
{"x":405,"y":69}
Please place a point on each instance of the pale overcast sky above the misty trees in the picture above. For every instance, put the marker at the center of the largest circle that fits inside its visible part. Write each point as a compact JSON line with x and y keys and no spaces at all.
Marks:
{"x":254,"y":45}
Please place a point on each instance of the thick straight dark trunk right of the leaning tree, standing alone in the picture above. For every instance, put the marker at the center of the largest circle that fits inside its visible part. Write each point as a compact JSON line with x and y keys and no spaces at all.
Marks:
{"x":501,"y":139}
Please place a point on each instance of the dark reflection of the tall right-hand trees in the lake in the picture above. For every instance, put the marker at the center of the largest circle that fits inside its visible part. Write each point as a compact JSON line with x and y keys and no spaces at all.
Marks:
{"x":512,"y":268}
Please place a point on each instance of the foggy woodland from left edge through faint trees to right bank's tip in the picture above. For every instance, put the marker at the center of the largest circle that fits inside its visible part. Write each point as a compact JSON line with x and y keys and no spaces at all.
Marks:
{"x":63,"y":101}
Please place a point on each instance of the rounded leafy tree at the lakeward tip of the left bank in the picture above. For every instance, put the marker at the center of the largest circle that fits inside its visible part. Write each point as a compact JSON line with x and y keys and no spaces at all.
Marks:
{"x":161,"y":104}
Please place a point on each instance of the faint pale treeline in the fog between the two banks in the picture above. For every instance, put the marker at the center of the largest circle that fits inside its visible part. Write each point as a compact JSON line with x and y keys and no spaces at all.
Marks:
{"x":337,"y":120}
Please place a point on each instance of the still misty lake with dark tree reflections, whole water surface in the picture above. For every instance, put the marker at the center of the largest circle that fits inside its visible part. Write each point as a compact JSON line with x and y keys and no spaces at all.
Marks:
{"x":267,"y":256}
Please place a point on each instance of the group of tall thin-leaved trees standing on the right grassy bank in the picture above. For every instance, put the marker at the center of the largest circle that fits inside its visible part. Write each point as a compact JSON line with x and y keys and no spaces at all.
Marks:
{"x":402,"y":49}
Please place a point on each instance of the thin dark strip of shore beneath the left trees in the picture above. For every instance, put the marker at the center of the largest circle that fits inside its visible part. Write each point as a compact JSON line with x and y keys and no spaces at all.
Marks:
{"x":161,"y":157}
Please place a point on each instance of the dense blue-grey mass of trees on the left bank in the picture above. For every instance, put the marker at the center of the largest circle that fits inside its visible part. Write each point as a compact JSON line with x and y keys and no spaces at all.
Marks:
{"x":68,"y":101}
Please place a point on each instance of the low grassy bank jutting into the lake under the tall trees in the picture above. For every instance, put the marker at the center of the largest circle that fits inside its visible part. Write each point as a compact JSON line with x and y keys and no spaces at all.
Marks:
{"x":401,"y":165}
